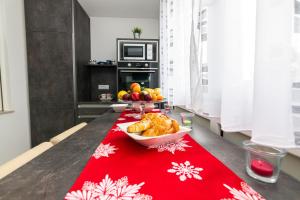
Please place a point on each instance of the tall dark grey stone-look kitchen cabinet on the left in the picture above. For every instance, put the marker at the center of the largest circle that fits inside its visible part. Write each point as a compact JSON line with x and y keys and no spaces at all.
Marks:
{"x":58,"y":46}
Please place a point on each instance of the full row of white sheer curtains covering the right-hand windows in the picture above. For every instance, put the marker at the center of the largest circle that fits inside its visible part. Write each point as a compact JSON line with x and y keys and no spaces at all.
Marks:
{"x":244,"y":62}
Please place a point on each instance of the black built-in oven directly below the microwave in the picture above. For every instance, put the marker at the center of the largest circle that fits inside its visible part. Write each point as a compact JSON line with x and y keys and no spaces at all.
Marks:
{"x":146,"y":77}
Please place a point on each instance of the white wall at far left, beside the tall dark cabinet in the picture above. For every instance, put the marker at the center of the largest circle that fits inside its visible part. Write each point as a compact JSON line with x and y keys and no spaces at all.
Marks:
{"x":14,"y":127}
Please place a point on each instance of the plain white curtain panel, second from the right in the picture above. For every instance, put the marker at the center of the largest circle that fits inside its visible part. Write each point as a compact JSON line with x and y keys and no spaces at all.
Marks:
{"x":238,"y":65}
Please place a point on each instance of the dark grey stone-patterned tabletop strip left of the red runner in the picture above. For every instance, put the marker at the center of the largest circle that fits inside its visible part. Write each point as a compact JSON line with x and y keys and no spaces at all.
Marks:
{"x":50,"y":175}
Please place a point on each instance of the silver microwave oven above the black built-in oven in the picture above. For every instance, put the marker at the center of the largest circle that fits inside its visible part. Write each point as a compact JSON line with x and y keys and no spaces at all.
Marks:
{"x":130,"y":50}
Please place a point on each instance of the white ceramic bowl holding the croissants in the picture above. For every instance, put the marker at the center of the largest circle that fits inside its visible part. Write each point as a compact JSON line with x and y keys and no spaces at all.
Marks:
{"x":157,"y":140}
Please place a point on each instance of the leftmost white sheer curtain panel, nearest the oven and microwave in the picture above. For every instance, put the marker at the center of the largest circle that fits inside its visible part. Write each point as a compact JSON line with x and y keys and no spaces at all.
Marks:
{"x":176,"y":28}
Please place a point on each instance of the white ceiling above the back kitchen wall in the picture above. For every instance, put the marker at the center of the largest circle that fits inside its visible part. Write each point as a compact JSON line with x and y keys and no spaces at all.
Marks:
{"x":122,"y":8}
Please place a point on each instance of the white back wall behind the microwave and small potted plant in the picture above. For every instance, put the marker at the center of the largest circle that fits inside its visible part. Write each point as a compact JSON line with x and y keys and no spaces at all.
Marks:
{"x":105,"y":30}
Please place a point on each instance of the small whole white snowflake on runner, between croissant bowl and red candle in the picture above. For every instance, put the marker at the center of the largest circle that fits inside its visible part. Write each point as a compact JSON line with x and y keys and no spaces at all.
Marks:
{"x":185,"y":170}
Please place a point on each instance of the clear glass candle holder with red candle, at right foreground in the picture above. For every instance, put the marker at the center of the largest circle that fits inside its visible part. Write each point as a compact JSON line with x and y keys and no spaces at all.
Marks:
{"x":263,"y":163}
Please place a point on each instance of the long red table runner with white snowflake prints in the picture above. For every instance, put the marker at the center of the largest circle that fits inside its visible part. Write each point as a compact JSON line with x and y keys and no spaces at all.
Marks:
{"x":124,"y":170}
